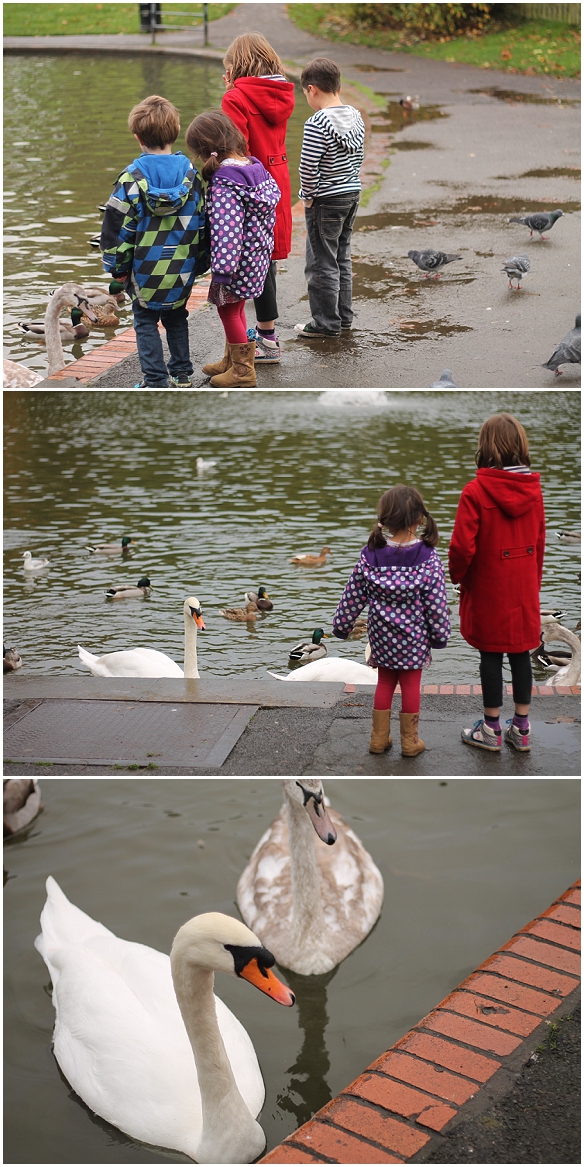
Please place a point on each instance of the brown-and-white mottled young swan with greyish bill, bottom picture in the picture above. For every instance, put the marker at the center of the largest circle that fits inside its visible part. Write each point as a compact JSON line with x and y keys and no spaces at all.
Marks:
{"x":311,"y":889}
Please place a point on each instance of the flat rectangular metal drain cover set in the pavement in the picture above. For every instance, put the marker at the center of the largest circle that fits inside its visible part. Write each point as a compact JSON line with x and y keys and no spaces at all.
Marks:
{"x":108,"y":732}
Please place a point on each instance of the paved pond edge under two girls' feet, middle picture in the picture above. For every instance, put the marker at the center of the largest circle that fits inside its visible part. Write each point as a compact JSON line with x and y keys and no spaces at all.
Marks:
{"x":259,"y":728}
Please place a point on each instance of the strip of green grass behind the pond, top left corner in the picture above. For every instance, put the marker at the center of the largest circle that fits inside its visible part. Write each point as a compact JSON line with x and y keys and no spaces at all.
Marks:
{"x":72,"y":19}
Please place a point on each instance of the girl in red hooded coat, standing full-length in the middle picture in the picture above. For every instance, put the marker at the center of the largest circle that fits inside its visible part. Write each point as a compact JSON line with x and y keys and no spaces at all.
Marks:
{"x":497,"y":556}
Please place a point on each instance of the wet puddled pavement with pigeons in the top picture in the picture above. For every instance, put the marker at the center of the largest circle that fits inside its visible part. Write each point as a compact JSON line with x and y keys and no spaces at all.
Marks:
{"x":483,"y":146}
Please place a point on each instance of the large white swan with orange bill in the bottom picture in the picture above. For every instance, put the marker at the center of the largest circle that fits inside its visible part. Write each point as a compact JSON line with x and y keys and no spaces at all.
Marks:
{"x":124,"y":1047}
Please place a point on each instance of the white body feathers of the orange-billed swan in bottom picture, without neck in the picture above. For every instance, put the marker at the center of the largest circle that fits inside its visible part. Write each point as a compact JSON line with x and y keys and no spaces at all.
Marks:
{"x":120,"y":1038}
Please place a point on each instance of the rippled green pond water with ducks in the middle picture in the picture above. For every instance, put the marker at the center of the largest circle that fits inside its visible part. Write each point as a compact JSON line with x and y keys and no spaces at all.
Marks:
{"x":295,"y":472}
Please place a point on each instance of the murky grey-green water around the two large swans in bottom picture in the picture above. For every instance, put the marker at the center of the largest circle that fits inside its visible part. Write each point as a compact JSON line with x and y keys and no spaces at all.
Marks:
{"x":465,"y":865}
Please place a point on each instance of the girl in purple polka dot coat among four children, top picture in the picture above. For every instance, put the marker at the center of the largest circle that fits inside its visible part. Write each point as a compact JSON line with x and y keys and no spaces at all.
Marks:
{"x":241,"y":204}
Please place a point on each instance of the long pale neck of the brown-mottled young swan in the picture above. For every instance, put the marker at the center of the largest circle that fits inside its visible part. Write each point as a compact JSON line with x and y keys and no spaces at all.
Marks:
{"x":308,"y":912}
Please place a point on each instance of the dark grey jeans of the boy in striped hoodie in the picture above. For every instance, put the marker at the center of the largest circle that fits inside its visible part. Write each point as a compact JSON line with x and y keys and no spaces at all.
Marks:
{"x":329,"y":271}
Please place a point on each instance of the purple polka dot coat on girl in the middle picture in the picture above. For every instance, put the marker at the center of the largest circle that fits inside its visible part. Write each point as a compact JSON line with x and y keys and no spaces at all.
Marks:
{"x":408,"y":610}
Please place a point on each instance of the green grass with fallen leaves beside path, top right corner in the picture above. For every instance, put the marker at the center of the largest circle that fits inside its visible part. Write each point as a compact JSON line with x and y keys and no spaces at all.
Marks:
{"x":533,"y":47}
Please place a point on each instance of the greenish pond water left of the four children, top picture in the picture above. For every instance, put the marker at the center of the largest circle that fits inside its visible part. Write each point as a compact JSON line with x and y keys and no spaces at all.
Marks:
{"x":66,"y":141}
